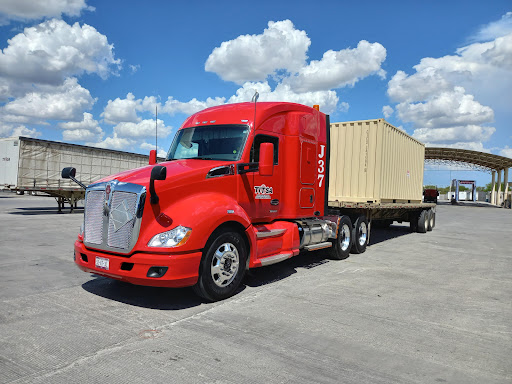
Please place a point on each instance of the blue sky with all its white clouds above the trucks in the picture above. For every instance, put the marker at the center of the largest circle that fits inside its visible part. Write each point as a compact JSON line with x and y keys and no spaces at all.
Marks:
{"x":91,"y":72}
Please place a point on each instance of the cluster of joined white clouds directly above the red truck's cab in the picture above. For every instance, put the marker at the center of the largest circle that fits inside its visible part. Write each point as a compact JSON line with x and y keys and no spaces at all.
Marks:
{"x":281,"y":52}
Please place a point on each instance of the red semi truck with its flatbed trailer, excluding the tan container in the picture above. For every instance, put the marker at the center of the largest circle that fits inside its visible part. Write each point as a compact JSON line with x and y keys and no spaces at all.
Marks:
{"x":243,"y":186}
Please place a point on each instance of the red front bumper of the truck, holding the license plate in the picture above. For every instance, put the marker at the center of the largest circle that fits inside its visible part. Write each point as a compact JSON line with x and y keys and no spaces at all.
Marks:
{"x":182,"y":269}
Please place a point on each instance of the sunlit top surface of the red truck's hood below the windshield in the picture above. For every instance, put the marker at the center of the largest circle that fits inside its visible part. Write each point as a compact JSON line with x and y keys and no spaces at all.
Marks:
{"x":178,"y":172}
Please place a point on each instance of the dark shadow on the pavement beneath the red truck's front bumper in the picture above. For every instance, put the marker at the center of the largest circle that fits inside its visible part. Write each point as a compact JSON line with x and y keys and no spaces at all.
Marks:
{"x":170,"y":299}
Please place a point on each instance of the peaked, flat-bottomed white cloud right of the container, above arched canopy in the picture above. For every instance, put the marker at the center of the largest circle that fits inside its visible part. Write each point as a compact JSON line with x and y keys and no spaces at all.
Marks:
{"x":450,"y":108}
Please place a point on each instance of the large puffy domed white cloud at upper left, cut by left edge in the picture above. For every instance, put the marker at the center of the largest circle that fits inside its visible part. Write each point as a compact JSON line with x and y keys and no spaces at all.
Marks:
{"x":52,"y":51}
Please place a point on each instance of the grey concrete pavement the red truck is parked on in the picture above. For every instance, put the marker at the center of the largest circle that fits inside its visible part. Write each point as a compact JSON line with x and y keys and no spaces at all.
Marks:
{"x":415,"y":308}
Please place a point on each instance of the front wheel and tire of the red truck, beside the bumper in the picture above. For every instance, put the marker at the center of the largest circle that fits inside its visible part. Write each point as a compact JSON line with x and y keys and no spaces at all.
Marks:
{"x":222,"y":267}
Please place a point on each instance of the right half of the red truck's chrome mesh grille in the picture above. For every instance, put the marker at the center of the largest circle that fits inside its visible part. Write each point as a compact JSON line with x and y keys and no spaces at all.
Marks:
{"x":121,"y":219}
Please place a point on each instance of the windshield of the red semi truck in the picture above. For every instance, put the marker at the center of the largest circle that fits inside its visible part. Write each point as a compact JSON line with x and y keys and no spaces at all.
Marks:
{"x":214,"y":142}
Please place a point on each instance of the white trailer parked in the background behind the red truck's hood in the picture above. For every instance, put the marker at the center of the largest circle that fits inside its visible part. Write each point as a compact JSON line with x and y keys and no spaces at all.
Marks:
{"x":33,"y":165}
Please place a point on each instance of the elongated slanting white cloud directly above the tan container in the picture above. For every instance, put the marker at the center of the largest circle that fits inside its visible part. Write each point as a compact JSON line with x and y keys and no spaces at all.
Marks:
{"x":341,"y":68}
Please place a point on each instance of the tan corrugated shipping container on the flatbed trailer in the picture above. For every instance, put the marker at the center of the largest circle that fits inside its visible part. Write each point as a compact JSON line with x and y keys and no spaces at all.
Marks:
{"x":374,"y":162}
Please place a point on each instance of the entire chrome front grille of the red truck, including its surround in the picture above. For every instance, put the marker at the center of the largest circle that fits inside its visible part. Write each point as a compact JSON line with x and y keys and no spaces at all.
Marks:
{"x":113,"y":214}
